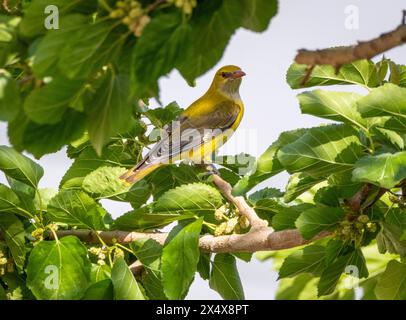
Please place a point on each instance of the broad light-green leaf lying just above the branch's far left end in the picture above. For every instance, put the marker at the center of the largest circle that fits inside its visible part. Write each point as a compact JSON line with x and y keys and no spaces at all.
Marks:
{"x":76,"y":208}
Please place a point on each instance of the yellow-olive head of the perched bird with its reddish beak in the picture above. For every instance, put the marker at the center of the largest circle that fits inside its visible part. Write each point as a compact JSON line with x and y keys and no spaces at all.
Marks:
{"x":227,"y":80}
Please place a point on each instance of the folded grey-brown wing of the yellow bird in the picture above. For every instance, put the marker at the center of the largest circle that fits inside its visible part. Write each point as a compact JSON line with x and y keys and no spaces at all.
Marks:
{"x":189,"y":132}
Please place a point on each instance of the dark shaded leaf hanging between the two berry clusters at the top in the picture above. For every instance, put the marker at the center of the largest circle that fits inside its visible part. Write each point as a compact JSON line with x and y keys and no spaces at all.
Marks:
{"x":162,"y":41}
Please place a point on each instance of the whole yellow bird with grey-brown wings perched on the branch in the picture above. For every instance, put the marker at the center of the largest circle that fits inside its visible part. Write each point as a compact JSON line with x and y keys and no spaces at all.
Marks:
{"x":201,"y":129}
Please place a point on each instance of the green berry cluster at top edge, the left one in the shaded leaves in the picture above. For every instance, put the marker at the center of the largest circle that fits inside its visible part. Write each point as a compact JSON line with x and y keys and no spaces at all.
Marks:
{"x":131,"y":14}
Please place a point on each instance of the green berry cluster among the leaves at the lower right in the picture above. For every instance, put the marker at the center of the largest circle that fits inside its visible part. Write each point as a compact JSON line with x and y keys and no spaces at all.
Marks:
{"x":354,"y":229}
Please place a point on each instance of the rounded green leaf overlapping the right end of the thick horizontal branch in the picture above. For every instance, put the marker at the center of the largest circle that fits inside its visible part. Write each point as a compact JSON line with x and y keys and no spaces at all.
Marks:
{"x":312,"y":221}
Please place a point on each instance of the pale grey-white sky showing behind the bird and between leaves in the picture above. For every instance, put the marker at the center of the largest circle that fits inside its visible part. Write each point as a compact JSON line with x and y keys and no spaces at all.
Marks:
{"x":271,"y":106}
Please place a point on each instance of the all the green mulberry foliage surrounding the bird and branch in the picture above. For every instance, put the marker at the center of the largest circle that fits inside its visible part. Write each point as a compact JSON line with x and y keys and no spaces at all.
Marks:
{"x":85,"y":86}
